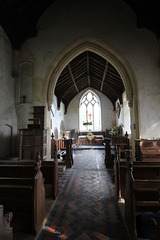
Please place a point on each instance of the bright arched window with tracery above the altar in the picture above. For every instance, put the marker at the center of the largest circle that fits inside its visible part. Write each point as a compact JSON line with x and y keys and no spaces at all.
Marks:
{"x":89,"y":112}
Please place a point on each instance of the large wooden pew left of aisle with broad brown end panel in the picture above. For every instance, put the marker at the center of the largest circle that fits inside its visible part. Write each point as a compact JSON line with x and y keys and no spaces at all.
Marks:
{"x":22,"y":192}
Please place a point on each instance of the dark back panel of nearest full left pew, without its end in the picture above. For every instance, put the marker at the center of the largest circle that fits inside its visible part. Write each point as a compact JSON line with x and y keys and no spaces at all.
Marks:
{"x":17,"y":195}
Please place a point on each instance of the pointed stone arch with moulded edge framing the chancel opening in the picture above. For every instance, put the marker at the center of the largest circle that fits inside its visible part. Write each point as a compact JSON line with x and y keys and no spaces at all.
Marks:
{"x":111,"y":55}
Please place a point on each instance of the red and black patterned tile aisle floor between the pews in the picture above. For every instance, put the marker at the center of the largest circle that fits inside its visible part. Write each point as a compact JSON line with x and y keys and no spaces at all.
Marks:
{"x":86,"y":208}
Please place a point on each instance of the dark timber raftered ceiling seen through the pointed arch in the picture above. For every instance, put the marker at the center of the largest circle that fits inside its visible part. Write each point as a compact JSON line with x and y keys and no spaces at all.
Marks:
{"x":89,"y":70}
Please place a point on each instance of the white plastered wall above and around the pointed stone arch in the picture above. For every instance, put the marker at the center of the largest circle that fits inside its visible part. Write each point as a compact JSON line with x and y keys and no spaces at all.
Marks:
{"x":109,"y":21}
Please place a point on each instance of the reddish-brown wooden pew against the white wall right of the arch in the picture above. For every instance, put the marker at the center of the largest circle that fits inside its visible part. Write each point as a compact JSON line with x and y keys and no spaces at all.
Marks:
{"x":147,"y":150}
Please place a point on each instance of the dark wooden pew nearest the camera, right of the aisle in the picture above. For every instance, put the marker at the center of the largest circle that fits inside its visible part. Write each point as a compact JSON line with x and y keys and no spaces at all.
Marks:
{"x":141,"y":198}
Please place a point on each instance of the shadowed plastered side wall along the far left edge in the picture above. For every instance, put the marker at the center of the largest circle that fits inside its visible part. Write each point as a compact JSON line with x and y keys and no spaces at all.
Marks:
{"x":8,"y":118}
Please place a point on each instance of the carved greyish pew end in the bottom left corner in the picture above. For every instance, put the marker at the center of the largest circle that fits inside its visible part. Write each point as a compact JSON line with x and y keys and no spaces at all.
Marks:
{"x":6,"y":231}
